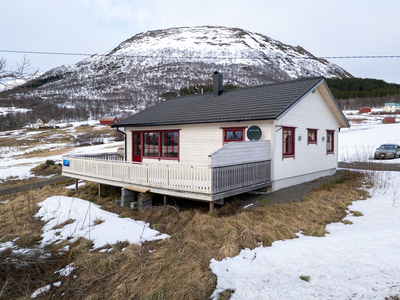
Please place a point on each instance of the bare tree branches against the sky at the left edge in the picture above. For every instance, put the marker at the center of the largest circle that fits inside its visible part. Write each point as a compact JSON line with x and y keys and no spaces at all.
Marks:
{"x":22,"y":70}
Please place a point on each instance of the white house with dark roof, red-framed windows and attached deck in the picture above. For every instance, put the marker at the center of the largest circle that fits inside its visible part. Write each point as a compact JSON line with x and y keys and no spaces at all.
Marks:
{"x":210,"y":146}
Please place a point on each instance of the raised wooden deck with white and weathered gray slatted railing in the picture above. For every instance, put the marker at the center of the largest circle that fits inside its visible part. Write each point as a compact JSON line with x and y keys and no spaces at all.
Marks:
{"x":205,"y":183}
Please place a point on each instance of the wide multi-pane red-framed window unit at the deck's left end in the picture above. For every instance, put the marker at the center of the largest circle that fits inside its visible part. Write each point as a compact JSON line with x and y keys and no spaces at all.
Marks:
{"x":160,"y":144}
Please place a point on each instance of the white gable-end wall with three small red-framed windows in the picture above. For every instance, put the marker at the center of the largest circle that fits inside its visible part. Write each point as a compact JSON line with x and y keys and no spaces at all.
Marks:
{"x":311,"y":112}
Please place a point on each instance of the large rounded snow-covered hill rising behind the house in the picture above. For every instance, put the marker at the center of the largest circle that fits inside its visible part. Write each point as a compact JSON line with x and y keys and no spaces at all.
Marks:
{"x":146,"y":67}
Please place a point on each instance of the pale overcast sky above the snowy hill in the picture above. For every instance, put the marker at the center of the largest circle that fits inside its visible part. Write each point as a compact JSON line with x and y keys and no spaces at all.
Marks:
{"x":324,"y":28}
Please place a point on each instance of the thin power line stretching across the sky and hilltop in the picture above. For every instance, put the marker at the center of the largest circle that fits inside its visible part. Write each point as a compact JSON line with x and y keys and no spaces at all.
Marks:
{"x":201,"y":57}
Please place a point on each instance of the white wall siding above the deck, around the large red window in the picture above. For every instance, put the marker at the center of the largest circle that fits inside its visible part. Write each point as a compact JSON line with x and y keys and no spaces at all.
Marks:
{"x":198,"y":141}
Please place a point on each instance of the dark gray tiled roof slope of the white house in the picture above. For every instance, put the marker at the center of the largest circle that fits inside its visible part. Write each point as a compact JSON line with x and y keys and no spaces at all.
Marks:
{"x":252,"y":103}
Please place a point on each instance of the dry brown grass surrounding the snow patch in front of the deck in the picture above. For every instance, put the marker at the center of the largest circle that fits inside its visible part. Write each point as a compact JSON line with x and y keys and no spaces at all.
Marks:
{"x":179,"y":268}
